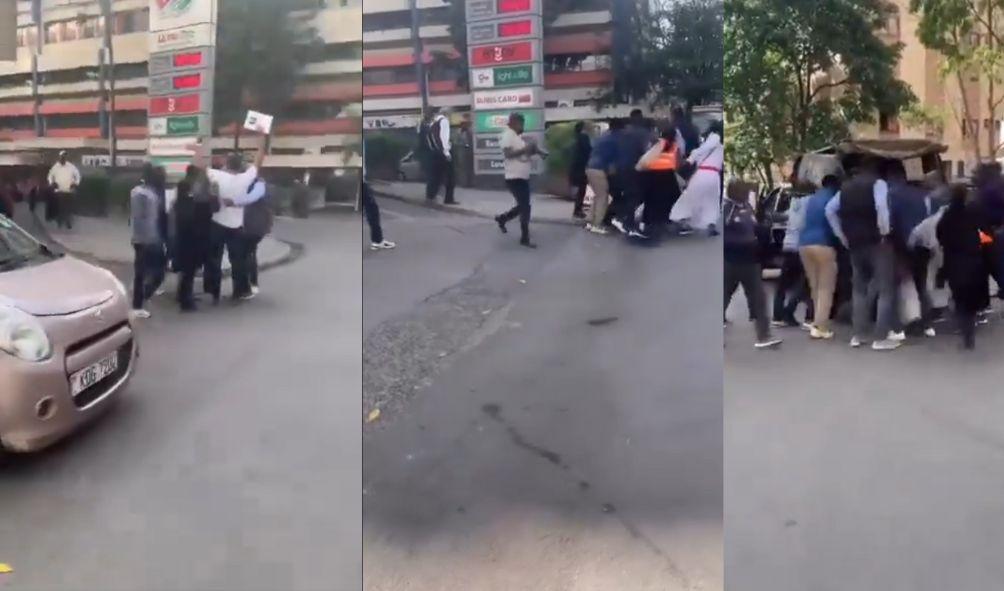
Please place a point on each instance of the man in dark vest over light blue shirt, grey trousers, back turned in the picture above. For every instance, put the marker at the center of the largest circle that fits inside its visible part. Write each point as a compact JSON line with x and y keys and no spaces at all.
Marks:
{"x":860,"y":217}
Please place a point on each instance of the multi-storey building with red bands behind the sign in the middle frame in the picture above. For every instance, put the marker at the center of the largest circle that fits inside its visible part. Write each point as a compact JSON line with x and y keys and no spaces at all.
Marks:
{"x":578,"y":66}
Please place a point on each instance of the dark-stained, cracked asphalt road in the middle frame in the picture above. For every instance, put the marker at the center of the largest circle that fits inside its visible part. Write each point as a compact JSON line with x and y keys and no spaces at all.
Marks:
{"x":552,"y":420}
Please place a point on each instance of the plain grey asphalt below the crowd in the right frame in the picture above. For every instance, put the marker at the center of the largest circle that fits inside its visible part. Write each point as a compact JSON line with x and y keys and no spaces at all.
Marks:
{"x":851,"y":469}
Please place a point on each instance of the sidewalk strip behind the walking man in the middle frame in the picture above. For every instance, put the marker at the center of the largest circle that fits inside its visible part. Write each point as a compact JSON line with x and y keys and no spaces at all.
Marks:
{"x":478,"y":202}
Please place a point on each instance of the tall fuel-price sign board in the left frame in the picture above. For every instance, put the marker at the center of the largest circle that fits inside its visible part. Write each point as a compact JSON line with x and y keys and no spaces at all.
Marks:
{"x":182,"y":62}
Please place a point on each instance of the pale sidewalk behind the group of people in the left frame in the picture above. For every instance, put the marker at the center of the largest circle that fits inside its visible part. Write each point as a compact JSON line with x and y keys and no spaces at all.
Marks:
{"x":108,"y":240}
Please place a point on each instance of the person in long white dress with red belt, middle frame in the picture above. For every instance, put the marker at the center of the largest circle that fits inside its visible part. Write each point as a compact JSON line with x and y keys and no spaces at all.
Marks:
{"x":700,"y":204}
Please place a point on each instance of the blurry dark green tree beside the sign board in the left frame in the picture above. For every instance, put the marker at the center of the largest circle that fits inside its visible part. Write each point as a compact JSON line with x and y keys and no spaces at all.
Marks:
{"x":261,"y":55}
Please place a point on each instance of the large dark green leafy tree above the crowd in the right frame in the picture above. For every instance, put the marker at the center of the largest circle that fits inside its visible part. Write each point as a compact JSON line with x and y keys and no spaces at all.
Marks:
{"x":800,"y":74}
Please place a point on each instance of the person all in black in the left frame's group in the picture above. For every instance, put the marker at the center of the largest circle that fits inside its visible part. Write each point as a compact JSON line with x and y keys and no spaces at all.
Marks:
{"x":194,"y":211}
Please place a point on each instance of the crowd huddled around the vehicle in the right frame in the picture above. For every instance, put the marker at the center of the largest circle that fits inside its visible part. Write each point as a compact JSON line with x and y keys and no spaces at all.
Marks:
{"x":879,"y":244}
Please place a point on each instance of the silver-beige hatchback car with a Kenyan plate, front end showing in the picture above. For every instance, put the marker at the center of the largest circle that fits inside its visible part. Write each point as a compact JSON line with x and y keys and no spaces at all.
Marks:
{"x":67,"y":342}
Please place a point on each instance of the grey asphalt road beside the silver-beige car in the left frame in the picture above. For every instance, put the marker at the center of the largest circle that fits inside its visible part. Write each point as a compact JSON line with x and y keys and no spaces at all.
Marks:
{"x":234,"y":460}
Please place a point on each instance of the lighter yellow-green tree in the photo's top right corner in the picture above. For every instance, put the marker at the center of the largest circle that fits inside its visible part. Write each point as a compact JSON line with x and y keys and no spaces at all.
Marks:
{"x":968,"y":34}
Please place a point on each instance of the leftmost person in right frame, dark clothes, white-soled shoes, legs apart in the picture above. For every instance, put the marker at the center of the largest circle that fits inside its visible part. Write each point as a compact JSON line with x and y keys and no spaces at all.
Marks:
{"x":742,"y":261}
